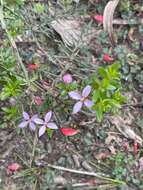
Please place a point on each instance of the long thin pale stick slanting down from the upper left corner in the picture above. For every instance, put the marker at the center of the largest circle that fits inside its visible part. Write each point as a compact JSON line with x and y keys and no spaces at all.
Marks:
{"x":20,"y":63}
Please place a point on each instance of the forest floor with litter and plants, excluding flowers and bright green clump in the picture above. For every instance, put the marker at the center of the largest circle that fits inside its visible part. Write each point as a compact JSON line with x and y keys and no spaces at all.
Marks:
{"x":35,"y":54}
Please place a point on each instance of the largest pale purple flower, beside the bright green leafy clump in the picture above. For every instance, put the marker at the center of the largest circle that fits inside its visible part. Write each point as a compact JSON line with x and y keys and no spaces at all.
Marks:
{"x":83,"y":99}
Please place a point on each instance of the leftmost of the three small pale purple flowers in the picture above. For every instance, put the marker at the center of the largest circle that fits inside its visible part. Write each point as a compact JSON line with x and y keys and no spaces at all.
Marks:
{"x":27,"y":120}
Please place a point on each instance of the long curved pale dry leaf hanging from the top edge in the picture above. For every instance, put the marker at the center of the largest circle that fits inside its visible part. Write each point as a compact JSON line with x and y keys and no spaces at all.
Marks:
{"x":108,"y":19}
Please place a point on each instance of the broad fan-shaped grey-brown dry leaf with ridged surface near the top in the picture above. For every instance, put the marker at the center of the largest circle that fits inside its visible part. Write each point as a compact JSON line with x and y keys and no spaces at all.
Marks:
{"x":74,"y":32}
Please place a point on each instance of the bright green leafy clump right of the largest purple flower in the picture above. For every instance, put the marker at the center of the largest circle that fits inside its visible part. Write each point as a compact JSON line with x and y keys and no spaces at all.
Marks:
{"x":106,"y":90}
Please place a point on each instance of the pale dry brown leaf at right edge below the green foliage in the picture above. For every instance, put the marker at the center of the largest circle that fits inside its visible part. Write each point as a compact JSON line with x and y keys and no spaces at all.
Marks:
{"x":125,"y":129}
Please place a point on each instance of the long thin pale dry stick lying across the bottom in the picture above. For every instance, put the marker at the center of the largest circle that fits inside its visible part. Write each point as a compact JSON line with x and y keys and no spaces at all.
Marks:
{"x":85,"y":173}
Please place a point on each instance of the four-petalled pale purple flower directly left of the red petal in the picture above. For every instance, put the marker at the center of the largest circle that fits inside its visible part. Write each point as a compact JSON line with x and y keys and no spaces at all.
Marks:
{"x":45,"y":123}
